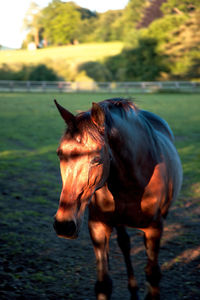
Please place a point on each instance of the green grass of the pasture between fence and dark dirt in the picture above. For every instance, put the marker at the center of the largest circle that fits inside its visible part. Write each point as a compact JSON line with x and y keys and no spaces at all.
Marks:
{"x":31,"y":129}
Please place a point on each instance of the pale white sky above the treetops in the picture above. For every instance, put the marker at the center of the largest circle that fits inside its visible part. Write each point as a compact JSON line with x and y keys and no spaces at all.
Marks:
{"x":12,"y":13}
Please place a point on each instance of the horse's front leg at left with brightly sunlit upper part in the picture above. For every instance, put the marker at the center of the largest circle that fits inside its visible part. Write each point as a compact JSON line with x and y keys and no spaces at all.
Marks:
{"x":100,"y":234}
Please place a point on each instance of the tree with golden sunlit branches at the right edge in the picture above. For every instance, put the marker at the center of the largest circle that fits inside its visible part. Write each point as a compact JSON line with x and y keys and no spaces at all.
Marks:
{"x":183,"y":48}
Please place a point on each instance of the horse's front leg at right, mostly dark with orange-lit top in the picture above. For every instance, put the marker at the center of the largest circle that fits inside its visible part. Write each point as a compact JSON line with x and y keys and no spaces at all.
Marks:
{"x":153,"y":275}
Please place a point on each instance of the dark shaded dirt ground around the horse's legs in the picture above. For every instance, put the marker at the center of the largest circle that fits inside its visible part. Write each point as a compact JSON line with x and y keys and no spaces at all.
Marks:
{"x":36,"y":264}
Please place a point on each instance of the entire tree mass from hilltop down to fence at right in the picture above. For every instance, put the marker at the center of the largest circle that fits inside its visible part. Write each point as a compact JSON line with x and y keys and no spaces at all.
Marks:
{"x":161,"y":37}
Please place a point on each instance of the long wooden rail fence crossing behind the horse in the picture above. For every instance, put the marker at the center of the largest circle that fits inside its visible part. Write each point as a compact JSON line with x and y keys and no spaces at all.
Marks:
{"x":101,"y":87}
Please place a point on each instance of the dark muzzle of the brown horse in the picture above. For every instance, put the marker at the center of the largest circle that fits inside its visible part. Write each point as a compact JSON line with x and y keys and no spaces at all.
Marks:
{"x":66,"y":229}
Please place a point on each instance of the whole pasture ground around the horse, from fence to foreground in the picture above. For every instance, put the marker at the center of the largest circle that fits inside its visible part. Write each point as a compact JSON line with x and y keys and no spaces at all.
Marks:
{"x":35,"y":264}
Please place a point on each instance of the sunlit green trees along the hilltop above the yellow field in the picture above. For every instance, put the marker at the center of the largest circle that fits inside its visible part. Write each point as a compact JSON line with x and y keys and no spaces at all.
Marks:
{"x":62,"y":23}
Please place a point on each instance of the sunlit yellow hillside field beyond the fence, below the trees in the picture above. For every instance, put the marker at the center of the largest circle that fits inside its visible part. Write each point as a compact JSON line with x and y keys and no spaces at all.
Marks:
{"x":63,"y":60}
